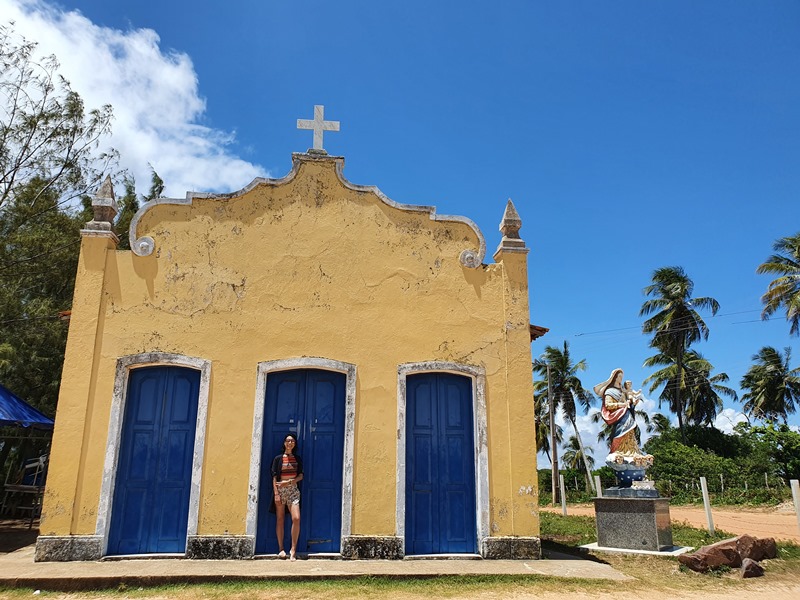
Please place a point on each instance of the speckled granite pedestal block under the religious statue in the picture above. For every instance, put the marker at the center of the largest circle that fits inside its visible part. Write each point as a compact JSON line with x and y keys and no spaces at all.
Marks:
{"x":633,"y":523}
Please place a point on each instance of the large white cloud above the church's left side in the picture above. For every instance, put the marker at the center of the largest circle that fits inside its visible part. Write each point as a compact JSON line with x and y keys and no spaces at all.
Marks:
{"x":154,"y":94}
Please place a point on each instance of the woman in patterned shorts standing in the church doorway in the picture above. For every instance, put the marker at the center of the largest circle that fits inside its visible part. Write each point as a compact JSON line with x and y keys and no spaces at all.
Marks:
{"x":287,"y":471}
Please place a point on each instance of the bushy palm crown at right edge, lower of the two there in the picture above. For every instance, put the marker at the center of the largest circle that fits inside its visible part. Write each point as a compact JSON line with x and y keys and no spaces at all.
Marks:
{"x":773,"y":387}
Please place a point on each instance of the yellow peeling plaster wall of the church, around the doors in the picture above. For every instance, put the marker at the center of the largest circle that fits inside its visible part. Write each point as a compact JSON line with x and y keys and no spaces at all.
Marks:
{"x":307,"y":266}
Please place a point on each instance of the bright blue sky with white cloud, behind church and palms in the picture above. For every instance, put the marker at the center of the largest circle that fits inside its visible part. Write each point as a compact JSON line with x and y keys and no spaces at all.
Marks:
{"x":630,"y":135}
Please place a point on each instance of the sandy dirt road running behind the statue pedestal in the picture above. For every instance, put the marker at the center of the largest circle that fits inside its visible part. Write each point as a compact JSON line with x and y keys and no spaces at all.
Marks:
{"x":779,"y":523}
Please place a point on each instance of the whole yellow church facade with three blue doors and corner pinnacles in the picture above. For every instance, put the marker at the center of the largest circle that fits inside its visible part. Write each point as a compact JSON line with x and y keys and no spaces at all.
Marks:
{"x":372,"y":330}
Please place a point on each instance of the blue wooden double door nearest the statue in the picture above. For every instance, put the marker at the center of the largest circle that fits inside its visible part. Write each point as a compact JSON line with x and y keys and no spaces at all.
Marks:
{"x":440,"y":465}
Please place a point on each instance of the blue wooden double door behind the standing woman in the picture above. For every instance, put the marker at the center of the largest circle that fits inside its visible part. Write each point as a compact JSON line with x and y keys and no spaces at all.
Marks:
{"x":311,"y":404}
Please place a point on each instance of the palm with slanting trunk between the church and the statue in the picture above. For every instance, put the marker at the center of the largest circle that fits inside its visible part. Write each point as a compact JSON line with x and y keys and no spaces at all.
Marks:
{"x":566,"y":388}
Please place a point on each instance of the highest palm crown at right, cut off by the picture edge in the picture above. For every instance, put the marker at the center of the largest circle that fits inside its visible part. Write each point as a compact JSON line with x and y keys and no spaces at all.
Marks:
{"x":785,"y":290}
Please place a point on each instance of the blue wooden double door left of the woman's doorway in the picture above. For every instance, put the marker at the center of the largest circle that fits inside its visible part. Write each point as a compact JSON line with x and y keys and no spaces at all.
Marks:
{"x":150,"y":509}
